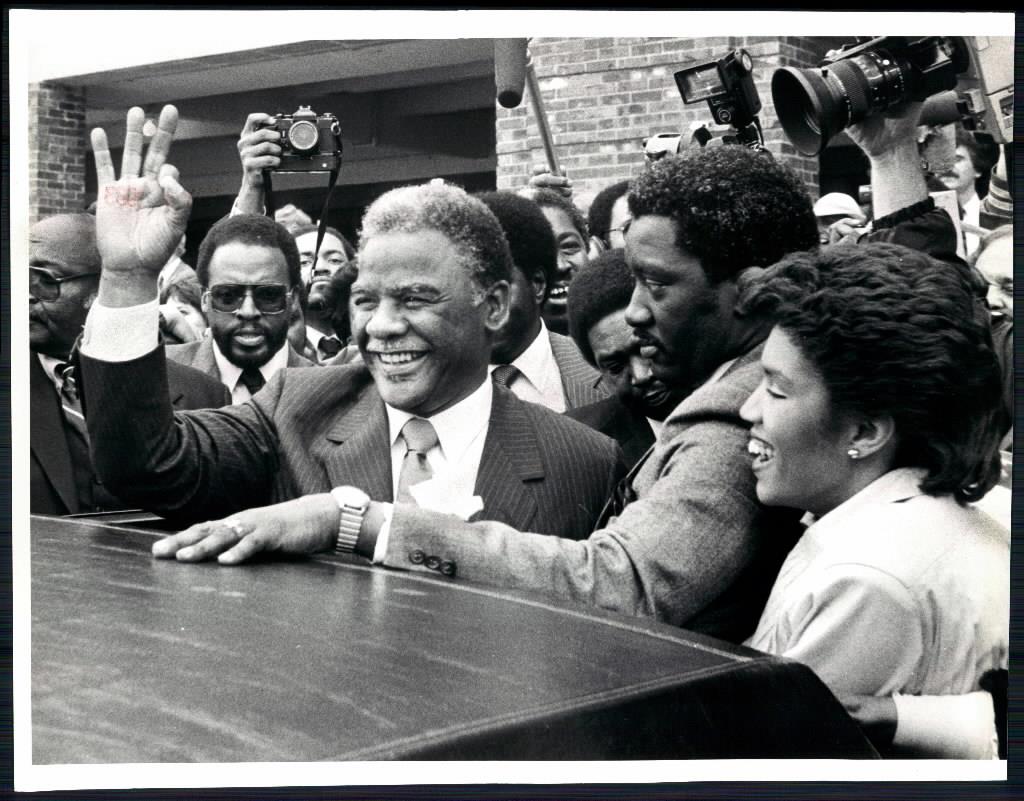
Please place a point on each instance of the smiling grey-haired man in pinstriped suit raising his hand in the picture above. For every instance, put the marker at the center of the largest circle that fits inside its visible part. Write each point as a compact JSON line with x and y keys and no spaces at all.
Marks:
{"x":418,"y":423}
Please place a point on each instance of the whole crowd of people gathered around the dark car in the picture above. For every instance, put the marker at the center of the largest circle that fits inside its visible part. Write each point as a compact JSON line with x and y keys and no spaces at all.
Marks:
{"x":688,"y":406}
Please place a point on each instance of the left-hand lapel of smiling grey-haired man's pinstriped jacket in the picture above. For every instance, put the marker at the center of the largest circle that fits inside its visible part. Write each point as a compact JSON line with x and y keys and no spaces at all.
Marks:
{"x":363,"y":456}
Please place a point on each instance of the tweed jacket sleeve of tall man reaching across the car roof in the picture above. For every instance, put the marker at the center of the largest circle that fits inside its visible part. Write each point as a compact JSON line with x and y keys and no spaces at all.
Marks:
{"x":669,"y":556}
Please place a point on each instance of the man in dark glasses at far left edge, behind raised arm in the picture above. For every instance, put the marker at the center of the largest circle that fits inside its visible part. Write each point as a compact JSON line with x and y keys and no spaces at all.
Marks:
{"x":64,"y":277}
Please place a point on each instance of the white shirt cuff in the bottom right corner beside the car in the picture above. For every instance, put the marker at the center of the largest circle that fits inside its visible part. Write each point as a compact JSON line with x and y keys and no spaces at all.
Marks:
{"x":948,"y":727}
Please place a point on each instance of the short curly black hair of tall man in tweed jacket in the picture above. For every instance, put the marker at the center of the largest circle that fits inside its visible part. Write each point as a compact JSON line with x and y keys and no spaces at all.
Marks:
{"x":734,"y":207}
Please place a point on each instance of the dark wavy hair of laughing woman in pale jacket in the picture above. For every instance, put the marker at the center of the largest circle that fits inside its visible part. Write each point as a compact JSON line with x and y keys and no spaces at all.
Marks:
{"x":895,"y":332}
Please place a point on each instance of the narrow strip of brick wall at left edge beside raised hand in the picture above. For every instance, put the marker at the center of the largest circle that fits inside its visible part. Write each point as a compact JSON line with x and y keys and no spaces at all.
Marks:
{"x":58,"y":144}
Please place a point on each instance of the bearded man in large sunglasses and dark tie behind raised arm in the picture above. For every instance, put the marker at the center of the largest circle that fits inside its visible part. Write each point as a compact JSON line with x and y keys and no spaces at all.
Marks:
{"x":249,"y":269}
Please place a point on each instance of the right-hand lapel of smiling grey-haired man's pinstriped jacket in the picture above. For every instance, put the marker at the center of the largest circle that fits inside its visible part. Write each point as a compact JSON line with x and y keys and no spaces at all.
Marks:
{"x":511,"y":457}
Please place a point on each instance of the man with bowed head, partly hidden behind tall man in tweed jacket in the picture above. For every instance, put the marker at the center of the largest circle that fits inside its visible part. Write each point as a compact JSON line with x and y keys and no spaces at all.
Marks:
{"x":599,"y":300}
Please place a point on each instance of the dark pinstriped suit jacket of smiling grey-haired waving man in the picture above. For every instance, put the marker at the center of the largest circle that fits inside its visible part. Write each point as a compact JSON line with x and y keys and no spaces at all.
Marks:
{"x":312,"y":430}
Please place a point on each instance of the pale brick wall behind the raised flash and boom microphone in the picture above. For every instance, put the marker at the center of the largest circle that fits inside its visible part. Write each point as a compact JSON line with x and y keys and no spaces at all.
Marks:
{"x":604,"y":97}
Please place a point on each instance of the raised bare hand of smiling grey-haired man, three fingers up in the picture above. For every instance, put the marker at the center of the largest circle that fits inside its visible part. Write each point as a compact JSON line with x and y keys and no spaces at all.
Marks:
{"x":142,"y":216}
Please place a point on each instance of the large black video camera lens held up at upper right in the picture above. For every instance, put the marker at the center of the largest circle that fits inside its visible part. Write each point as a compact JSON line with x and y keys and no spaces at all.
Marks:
{"x":814,"y":106}
